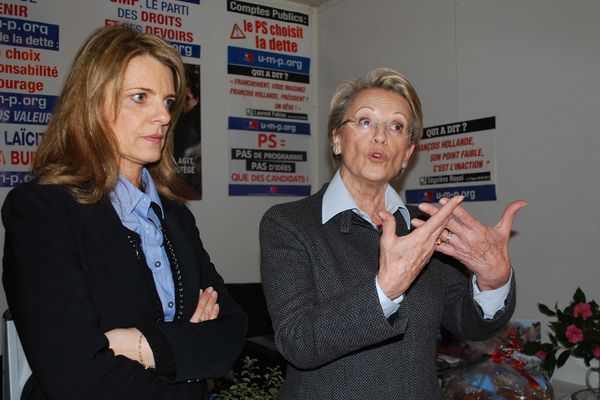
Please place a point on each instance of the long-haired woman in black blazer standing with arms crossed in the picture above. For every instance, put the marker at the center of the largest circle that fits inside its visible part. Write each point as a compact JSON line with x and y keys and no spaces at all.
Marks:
{"x":111,"y":290}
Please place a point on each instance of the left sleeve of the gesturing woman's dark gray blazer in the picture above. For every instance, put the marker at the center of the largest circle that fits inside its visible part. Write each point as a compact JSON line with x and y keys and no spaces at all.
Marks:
{"x":310,"y":331}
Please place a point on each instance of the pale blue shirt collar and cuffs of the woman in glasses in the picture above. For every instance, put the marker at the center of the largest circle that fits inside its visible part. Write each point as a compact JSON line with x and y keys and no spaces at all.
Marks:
{"x":337,"y":199}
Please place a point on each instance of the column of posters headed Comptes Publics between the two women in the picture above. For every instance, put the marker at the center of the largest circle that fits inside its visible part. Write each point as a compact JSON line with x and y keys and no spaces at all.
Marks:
{"x":268,"y":62}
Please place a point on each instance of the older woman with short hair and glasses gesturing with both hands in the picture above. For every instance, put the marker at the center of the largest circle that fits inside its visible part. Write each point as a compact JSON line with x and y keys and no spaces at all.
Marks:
{"x":356,"y":295}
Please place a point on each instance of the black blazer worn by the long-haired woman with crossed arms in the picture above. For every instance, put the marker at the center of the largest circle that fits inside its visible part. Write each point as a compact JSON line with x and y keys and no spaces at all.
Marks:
{"x":72,"y":272}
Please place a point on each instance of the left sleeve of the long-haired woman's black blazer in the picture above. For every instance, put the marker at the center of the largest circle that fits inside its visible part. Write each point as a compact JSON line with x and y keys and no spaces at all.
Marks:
{"x":56,"y":318}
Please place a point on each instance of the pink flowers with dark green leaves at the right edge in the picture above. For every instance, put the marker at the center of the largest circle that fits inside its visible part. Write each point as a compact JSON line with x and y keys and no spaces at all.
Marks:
{"x":575,"y":332}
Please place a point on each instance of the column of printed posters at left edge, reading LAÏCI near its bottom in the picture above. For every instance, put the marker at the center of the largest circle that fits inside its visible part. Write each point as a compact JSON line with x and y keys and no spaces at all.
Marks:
{"x":30,"y":76}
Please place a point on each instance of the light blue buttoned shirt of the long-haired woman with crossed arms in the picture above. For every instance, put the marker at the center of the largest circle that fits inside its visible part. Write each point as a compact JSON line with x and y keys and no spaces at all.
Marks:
{"x":133,"y":207}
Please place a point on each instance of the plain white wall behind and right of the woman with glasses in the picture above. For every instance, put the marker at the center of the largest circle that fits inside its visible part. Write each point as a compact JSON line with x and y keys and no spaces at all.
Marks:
{"x":534,"y":65}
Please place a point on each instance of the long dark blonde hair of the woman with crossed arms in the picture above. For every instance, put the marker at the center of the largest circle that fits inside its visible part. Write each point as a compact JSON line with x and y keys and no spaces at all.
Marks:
{"x":79,"y":148}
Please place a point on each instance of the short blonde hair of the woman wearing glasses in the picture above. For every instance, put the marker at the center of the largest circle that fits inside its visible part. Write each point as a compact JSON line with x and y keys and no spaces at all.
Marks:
{"x":379,"y":78}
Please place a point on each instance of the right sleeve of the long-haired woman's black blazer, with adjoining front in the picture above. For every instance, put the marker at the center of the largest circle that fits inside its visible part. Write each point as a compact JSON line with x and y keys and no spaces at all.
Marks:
{"x":198,"y":350}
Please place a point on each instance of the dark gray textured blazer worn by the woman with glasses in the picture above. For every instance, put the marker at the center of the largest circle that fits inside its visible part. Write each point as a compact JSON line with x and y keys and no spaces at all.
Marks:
{"x":319,"y":282}
